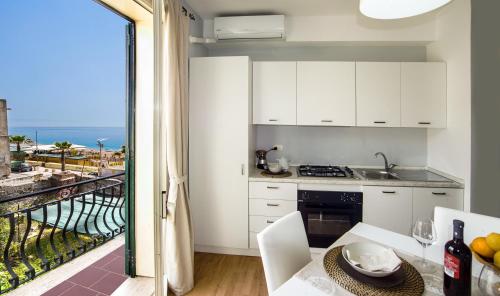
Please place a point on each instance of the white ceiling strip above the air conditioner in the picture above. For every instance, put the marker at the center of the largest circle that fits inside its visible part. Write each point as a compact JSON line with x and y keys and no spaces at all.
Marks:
{"x":208,"y":9}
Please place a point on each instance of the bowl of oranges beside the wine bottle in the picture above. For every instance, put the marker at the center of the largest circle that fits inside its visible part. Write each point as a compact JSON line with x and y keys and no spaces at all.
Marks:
{"x":486,"y":250}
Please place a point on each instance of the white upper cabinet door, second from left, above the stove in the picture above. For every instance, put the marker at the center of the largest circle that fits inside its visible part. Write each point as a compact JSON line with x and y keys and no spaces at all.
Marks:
{"x":326,"y":93}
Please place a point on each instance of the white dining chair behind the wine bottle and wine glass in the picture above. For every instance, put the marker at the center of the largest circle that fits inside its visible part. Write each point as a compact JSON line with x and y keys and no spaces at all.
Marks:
{"x":474,"y":225}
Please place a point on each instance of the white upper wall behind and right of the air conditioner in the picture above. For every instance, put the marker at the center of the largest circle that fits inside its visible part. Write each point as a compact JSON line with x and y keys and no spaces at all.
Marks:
{"x":353,"y":28}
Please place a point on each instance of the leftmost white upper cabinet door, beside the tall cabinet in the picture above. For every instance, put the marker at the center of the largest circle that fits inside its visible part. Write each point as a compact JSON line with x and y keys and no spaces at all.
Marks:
{"x":275,"y":93}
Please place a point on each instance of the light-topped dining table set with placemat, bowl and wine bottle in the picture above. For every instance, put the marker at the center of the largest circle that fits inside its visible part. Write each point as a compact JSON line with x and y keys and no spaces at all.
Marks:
{"x":313,"y":280}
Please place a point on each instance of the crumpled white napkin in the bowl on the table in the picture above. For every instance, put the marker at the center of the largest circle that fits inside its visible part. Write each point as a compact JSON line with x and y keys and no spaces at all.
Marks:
{"x":386,"y":260}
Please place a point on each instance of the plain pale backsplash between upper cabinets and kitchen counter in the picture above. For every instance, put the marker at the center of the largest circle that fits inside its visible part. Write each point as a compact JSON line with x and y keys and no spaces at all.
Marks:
{"x":344,"y":145}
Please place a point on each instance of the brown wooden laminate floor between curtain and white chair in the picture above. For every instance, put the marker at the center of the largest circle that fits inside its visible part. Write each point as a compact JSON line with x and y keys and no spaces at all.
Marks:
{"x":228,"y":275}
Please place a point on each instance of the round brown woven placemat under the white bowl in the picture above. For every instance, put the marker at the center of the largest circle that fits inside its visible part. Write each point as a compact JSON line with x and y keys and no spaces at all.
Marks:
{"x":413,"y":284}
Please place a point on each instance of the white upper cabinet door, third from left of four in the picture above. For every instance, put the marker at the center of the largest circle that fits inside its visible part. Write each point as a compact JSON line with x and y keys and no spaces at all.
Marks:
{"x":378,"y":94}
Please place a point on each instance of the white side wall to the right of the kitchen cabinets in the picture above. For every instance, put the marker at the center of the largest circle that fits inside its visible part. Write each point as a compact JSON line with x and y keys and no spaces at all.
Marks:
{"x":449,"y":150}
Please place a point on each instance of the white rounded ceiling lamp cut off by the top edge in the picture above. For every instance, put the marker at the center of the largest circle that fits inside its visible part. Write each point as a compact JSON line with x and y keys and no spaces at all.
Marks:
{"x":397,"y":9}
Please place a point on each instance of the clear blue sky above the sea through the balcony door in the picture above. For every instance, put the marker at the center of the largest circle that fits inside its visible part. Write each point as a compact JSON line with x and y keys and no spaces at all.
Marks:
{"x":62,"y":63}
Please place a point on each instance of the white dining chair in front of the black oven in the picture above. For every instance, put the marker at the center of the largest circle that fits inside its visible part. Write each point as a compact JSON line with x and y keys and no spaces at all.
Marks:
{"x":284,"y":249}
